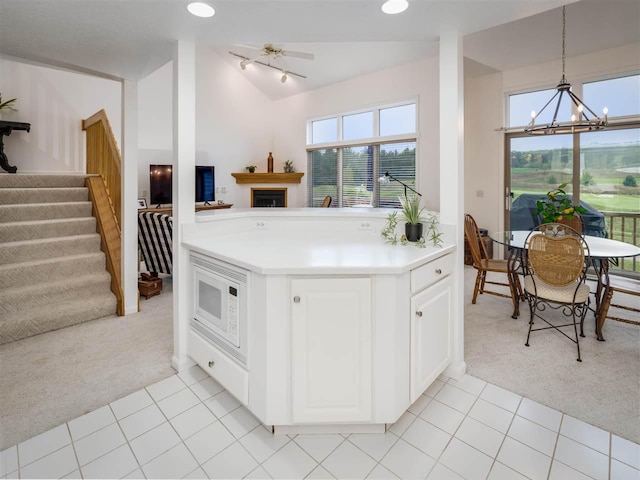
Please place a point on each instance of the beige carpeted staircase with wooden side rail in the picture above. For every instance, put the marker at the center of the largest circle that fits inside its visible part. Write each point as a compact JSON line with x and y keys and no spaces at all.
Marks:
{"x":52,"y":271}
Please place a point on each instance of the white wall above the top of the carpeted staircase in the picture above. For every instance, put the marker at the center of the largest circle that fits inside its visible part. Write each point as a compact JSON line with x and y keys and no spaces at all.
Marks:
{"x":54,"y":102}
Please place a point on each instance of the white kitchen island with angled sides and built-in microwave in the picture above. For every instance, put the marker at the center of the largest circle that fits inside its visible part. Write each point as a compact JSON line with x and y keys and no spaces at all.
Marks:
{"x":333,"y":329}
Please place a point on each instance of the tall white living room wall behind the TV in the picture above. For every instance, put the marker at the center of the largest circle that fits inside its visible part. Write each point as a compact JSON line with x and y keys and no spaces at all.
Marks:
{"x":234,"y":125}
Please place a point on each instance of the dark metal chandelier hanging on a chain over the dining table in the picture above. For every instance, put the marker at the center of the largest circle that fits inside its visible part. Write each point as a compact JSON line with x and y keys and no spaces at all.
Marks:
{"x":581,"y":123}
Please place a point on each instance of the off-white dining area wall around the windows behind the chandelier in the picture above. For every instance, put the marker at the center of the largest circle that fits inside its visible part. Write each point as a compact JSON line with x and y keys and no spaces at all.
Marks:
{"x":485,"y":98}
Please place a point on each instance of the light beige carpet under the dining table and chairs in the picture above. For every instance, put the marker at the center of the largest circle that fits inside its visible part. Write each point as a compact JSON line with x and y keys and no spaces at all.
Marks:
{"x":603,"y":389}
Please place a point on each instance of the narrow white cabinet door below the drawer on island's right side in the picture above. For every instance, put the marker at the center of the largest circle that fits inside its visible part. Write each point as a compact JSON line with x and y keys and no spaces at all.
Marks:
{"x":430,"y":335}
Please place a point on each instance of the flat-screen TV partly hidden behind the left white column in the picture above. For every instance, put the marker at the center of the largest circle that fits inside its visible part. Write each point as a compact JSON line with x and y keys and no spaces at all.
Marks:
{"x":160,"y":184}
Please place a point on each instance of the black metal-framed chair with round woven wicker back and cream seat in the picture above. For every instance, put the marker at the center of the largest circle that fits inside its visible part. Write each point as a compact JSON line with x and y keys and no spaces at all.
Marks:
{"x":558,"y":258}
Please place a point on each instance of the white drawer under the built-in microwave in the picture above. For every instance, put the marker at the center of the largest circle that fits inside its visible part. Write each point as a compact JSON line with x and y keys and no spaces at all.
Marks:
{"x":230,"y":375}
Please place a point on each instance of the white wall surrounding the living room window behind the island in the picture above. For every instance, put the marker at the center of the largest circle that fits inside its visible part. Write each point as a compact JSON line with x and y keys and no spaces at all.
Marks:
{"x":409,"y":81}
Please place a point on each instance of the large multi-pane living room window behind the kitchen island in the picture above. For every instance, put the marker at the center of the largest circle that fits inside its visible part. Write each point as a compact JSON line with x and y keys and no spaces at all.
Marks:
{"x":368,"y":144}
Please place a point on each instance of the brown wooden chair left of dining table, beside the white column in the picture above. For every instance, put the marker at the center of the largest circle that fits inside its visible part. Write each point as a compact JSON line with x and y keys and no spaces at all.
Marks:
{"x":483,"y":264}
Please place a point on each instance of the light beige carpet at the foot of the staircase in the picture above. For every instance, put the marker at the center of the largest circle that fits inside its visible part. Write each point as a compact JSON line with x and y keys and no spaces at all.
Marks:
{"x":54,"y":377}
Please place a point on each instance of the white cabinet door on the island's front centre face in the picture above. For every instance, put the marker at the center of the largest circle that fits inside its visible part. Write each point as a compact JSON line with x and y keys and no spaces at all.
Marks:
{"x":331,"y":350}
